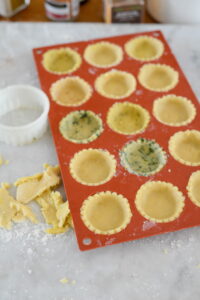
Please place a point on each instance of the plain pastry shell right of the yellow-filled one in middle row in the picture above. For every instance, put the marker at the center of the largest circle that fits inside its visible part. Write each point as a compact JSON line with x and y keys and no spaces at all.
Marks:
{"x":179,"y":101}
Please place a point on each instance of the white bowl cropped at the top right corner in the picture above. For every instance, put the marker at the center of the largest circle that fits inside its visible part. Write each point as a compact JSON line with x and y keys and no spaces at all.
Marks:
{"x":175,"y":11}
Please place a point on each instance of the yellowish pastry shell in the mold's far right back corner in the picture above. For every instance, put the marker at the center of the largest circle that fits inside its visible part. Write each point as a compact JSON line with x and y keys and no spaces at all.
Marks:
{"x":144,"y":48}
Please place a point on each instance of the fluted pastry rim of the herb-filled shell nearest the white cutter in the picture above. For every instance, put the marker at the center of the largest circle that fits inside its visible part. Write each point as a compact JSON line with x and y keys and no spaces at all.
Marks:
{"x":89,"y":139}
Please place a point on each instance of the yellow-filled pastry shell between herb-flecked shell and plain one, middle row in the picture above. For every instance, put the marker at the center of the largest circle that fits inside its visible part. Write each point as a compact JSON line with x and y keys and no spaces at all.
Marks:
{"x":136,"y":109}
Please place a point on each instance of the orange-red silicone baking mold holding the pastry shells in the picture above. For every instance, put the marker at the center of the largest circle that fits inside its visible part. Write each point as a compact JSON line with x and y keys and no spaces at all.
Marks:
{"x":123,"y":182}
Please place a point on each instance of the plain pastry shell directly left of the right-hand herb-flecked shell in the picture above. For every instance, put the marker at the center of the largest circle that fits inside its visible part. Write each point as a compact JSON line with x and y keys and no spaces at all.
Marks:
{"x":107,"y":158}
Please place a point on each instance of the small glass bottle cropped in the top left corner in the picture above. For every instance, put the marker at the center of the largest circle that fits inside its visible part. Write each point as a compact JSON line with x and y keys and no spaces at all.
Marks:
{"x":9,"y":8}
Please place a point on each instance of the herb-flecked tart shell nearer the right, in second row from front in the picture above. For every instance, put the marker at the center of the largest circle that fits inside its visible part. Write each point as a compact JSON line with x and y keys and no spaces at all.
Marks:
{"x":143,"y":157}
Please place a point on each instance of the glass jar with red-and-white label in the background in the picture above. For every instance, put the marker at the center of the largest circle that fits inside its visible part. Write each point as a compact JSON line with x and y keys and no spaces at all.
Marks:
{"x":62,"y":10}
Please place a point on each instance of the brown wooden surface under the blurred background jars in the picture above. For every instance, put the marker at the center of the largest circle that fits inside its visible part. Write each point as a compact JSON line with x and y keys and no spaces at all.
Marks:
{"x":89,"y":12}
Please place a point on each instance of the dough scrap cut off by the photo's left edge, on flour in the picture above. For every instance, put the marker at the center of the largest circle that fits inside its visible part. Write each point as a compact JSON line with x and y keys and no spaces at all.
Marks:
{"x":12,"y":210}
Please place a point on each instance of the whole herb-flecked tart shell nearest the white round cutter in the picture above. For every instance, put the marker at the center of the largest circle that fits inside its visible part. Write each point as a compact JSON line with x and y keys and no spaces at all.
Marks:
{"x":81,"y":126}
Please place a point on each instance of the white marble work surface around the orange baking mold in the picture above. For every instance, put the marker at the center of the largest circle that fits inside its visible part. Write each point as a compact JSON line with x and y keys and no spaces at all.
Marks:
{"x":165,"y":267}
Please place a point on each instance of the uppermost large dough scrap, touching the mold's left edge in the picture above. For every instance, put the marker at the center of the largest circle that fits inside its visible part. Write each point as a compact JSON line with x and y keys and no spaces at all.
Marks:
{"x":28,"y":188}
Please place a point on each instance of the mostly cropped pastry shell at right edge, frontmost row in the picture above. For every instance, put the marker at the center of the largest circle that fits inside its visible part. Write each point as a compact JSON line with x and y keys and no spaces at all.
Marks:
{"x":193,"y":188}
